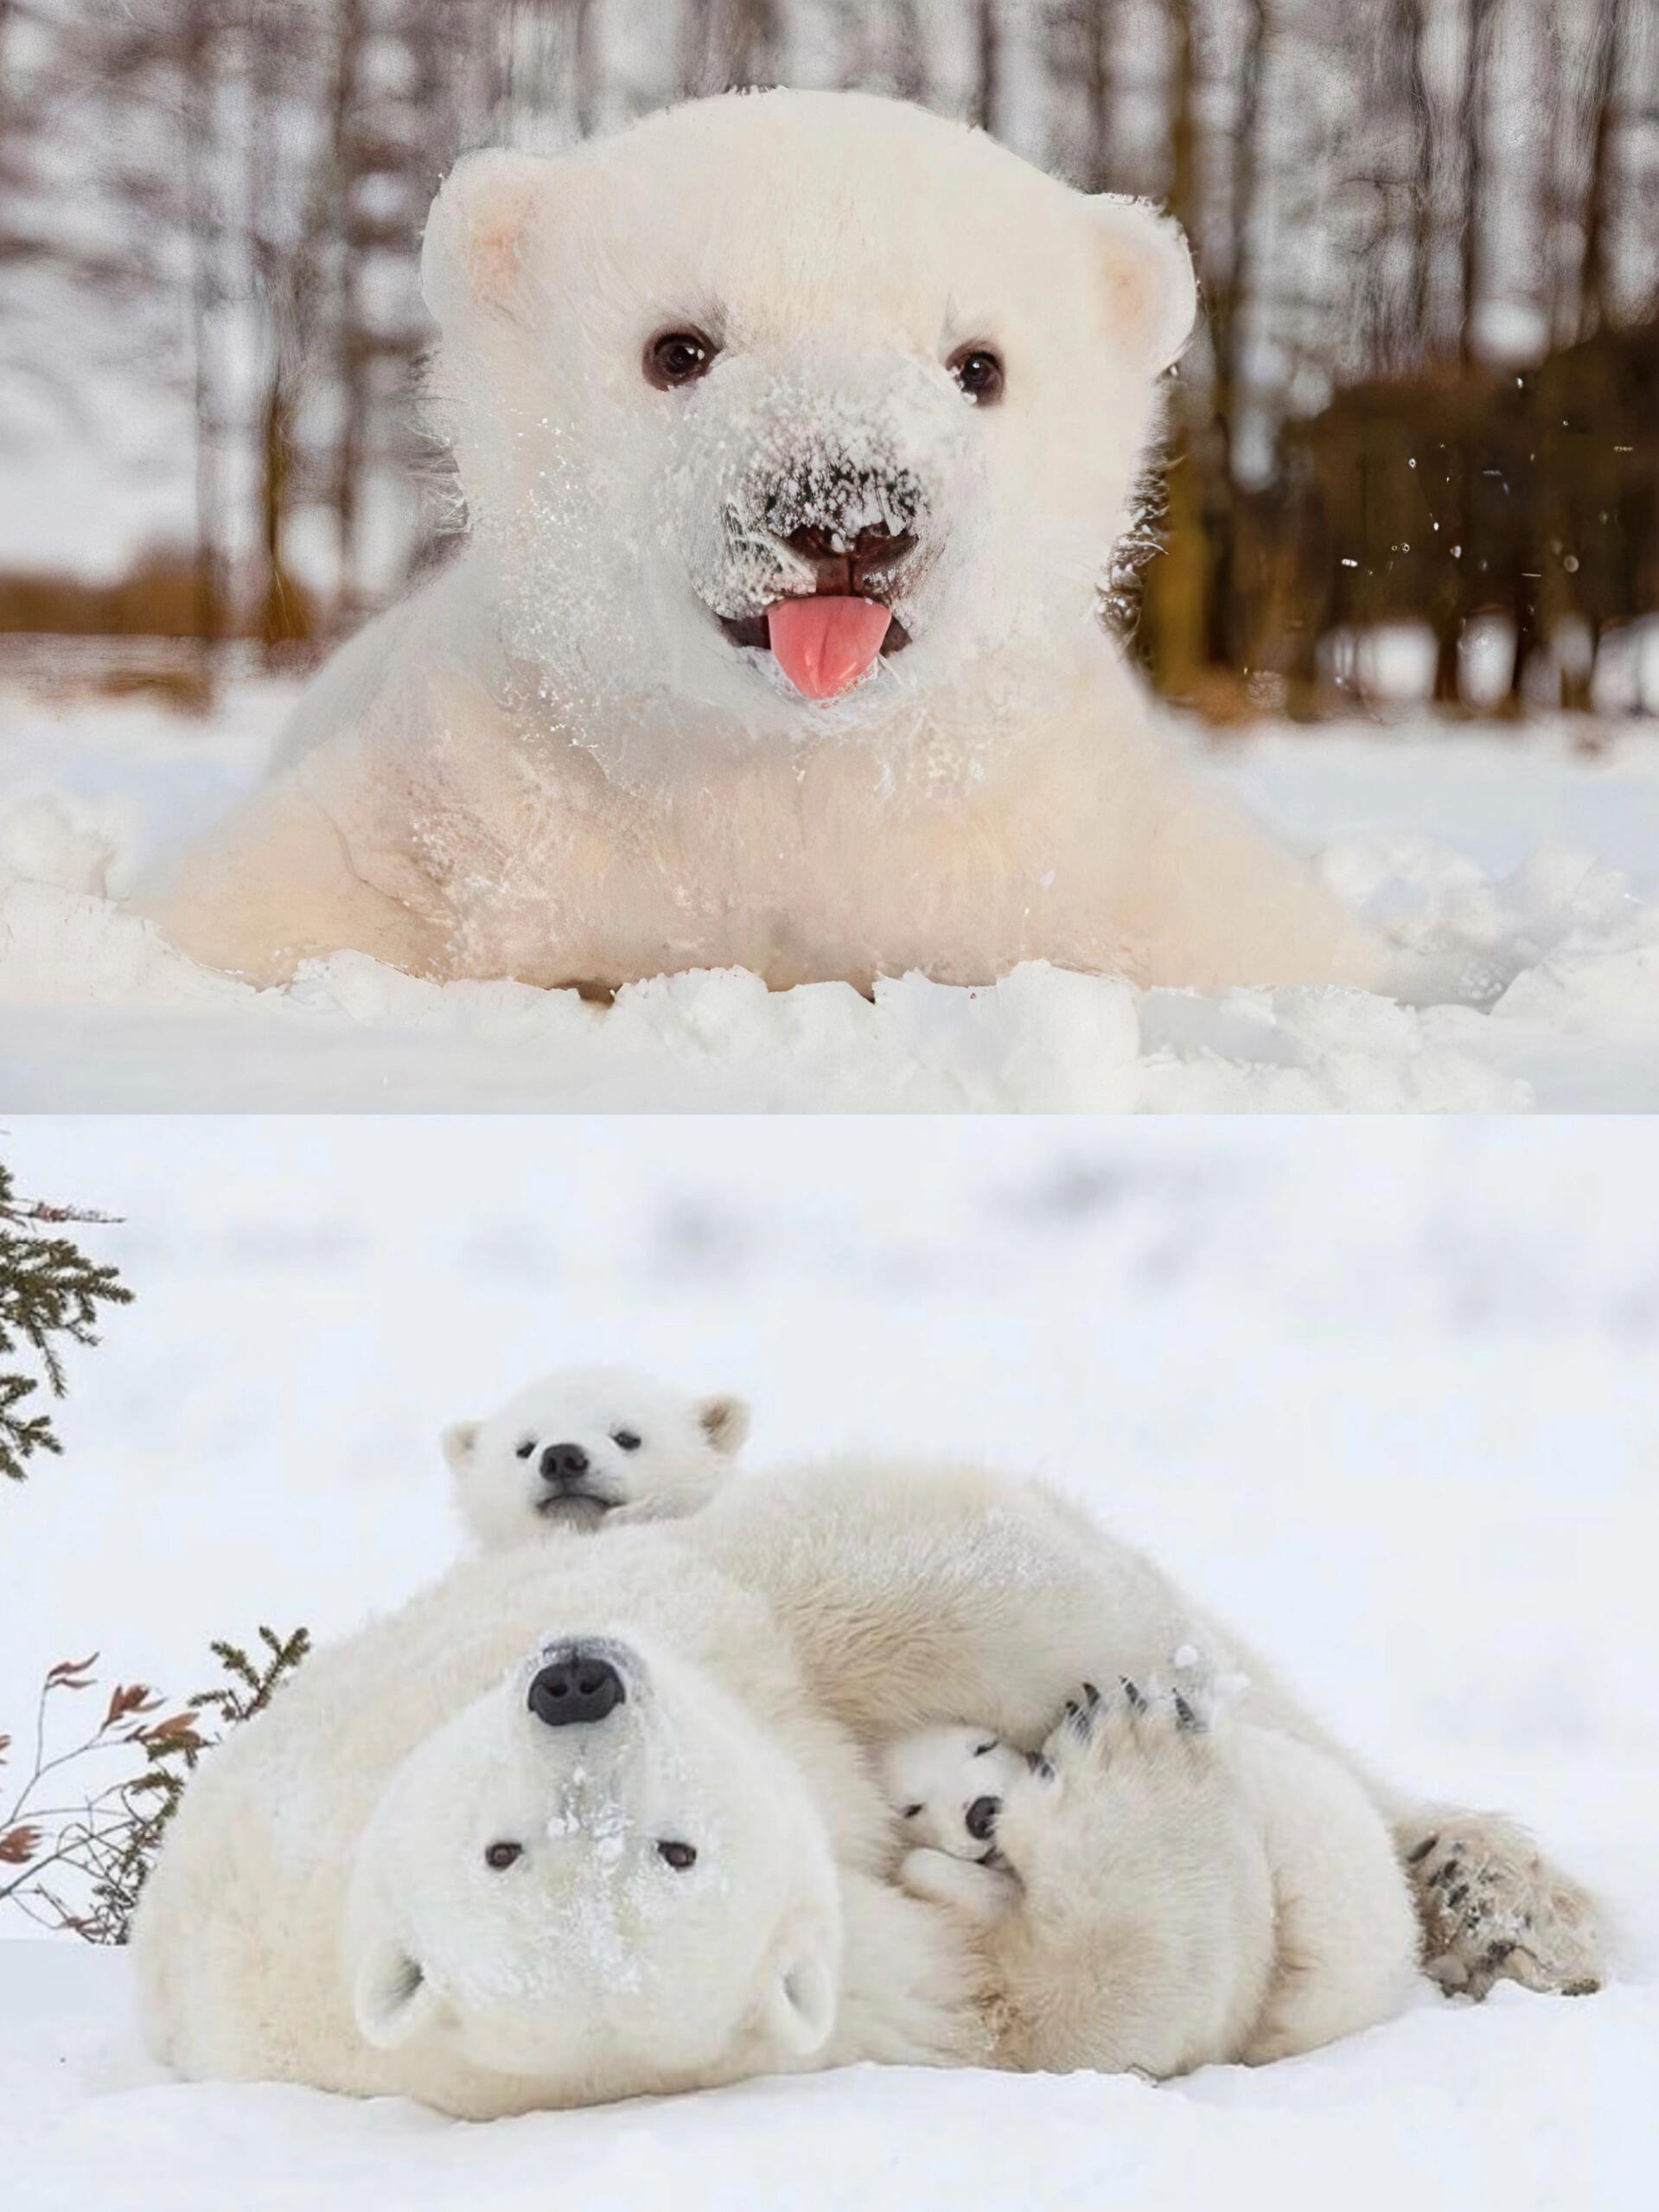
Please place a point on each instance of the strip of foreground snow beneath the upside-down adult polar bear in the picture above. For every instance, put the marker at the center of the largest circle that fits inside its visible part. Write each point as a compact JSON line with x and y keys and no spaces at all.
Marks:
{"x":1527,"y":2103}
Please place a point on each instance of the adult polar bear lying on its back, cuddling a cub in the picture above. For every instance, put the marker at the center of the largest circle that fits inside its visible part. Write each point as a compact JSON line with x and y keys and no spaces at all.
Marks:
{"x":408,"y":1879}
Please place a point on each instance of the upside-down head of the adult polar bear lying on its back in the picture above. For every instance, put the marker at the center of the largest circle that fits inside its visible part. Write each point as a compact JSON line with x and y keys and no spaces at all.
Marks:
{"x":598,"y":1881}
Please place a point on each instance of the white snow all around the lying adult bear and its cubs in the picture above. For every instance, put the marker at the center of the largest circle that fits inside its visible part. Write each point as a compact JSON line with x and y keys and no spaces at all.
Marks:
{"x":1395,"y":1406}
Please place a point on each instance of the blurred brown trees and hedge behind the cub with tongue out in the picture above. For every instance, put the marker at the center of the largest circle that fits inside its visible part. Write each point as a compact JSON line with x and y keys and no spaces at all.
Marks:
{"x":1426,"y":388}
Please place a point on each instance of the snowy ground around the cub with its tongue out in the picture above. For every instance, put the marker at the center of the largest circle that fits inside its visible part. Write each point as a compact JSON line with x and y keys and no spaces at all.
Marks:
{"x":1525,"y":875}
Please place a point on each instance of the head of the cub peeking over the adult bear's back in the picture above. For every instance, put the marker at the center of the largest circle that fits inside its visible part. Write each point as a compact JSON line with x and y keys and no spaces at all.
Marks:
{"x":587,"y":1448}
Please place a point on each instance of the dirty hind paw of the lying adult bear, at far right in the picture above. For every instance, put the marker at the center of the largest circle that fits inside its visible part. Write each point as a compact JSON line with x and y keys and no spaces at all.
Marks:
{"x":1496,"y":1910}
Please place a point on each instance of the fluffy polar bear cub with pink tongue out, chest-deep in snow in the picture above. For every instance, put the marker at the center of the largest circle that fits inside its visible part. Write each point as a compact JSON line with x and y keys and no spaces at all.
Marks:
{"x":744,"y":401}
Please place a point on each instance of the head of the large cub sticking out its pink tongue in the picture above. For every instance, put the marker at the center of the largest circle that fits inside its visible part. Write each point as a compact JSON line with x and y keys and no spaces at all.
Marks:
{"x":791,"y":413}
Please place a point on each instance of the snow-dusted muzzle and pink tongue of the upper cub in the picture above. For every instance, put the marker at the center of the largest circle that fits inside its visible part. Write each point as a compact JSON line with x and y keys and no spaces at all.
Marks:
{"x":815,"y":503}
